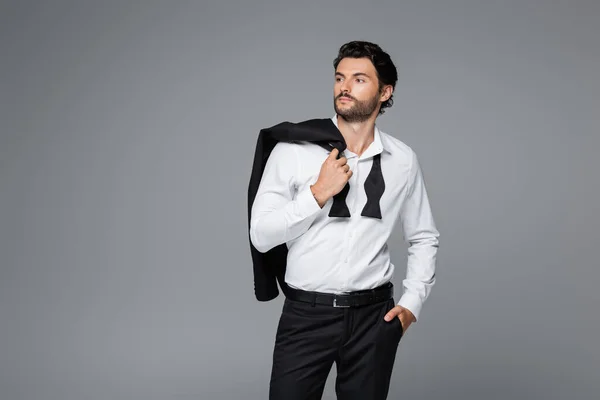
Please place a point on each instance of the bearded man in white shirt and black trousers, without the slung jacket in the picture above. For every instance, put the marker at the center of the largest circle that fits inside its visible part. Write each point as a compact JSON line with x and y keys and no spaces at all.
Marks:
{"x":339,"y":304}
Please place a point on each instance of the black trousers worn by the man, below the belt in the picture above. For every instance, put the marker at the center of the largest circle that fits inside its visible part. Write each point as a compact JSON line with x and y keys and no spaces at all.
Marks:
{"x":310,"y":338}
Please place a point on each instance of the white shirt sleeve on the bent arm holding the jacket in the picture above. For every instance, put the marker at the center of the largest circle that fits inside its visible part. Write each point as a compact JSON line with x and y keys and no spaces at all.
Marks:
{"x":280,"y":213}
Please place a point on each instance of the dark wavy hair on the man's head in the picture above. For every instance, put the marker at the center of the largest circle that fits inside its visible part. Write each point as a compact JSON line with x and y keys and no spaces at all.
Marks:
{"x":386,"y":70}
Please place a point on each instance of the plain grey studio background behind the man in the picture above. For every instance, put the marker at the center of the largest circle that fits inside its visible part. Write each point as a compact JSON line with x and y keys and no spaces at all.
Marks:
{"x":127,"y":135}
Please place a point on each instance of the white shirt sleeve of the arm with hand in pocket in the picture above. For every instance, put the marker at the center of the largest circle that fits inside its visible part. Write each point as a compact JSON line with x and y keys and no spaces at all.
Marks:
{"x":423,"y":238}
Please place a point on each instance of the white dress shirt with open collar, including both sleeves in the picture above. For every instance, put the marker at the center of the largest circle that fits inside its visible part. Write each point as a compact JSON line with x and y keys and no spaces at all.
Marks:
{"x":342,"y":254}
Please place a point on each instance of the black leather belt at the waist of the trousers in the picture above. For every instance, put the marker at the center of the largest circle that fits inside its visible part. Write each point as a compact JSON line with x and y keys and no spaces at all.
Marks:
{"x":352,"y":299}
